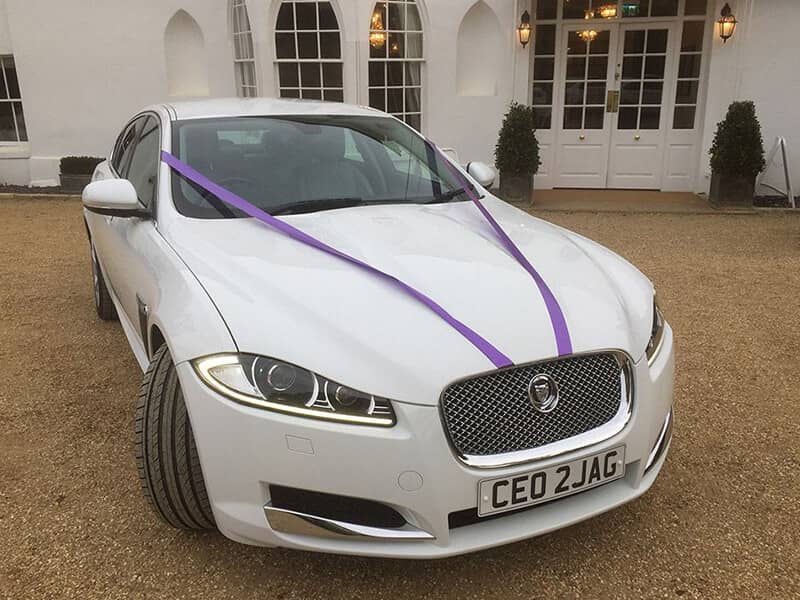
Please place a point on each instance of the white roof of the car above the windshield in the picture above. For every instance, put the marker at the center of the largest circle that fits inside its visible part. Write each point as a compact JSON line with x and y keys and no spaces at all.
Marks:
{"x":236,"y":107}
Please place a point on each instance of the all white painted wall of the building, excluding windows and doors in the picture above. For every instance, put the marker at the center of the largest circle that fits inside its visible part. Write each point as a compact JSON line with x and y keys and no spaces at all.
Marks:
{"x":86,"y":65}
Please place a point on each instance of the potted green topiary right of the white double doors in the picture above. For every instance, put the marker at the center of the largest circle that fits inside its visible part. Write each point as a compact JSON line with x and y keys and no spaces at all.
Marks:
{"x":737,"y":156}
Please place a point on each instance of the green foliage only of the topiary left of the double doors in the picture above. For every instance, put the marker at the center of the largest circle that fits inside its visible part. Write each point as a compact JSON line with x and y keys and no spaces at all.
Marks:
{"x":517,"y":150}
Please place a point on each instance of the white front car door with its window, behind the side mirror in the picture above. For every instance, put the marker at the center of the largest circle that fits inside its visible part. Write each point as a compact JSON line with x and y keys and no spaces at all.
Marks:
{"x":130,"y":240}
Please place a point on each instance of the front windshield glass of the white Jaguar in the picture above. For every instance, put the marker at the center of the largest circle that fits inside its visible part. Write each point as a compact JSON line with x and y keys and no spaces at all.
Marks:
{"x":300,"y":164}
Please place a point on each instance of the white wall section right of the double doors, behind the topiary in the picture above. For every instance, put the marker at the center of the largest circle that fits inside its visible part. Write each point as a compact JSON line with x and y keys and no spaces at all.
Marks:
{"x":759,"y":63}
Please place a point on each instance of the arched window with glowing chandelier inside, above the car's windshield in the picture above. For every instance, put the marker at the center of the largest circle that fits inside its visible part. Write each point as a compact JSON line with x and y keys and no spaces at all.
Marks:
{"x":395,"y":60}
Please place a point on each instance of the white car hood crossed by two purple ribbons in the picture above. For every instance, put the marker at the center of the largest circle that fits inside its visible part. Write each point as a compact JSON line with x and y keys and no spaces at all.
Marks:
{"x":284,"y":299}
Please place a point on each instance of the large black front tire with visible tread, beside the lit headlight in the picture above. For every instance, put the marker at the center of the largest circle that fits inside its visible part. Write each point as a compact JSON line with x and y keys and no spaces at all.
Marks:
{"x":166,"y":455}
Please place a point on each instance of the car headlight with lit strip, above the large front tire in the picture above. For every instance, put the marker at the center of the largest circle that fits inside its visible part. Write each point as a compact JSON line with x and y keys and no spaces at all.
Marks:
{"x":276,"y":385}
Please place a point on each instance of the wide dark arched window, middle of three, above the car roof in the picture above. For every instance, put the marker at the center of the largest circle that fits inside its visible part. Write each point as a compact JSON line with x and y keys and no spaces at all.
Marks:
{"x":308,"y":51}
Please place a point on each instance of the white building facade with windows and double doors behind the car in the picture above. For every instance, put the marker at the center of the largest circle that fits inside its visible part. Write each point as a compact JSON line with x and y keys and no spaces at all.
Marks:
{"x":627,"y":93}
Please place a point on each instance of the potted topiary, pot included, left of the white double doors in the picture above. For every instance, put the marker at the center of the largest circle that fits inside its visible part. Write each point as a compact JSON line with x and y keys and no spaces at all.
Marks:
{"x":517,"y":154}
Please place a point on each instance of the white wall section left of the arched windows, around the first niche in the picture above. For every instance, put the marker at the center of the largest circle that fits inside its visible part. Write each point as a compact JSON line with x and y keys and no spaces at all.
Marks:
{"x":85,"y":66}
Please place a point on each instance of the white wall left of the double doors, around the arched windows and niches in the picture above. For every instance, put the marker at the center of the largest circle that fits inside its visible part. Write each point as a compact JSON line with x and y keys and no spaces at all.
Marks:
{"x":86,"y":65}
